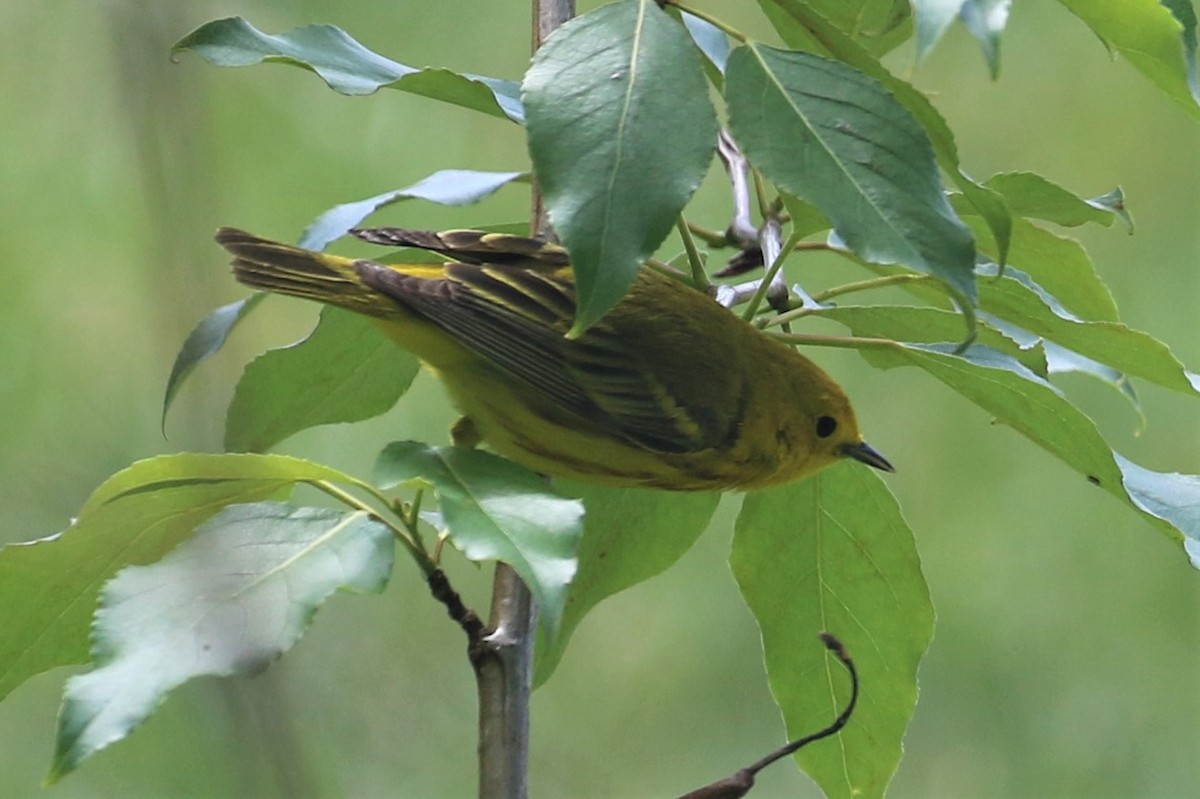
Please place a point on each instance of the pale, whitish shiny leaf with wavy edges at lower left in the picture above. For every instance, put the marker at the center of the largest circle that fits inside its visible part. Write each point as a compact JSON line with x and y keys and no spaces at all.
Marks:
{"x":229,"y":602}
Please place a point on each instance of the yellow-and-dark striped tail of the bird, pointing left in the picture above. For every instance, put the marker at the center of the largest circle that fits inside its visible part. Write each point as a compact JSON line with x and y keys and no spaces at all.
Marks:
{"x":275,"y":267}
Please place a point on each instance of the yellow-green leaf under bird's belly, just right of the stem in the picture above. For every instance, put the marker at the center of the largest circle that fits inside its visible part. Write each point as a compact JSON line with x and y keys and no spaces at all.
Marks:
{"x":629,"y":536}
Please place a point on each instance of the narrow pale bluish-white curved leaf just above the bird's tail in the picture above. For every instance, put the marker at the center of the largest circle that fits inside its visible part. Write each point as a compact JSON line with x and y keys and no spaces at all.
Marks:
{"x":446,"y":187}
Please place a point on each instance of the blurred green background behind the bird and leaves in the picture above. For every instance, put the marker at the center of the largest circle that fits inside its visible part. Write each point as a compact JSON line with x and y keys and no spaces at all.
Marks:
{"x":1066,"y":657}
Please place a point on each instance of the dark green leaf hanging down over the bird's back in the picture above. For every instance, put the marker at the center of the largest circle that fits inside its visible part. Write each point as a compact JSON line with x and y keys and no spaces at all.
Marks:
{"x":621,"y":135}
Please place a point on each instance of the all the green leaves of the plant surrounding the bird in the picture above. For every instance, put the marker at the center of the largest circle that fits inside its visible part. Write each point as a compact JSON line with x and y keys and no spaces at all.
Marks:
{"x":1001,"y":303}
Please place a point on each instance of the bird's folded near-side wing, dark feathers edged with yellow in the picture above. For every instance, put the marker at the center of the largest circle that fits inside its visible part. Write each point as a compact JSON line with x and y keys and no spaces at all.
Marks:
{"x":517,"y":320}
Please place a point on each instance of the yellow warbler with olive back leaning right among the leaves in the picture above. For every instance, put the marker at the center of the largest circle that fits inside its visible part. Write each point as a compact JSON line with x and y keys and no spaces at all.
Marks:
{"x":669,"y":391}
